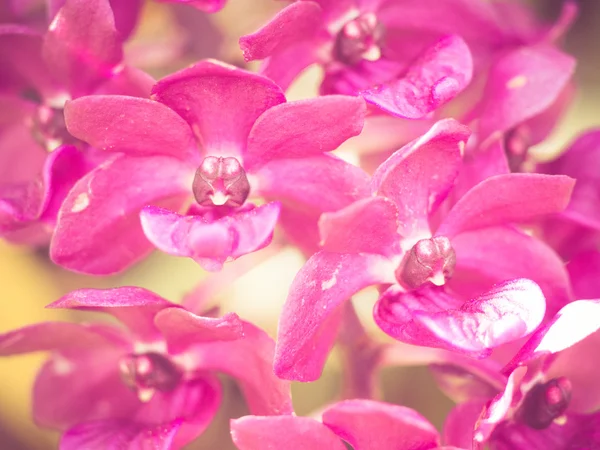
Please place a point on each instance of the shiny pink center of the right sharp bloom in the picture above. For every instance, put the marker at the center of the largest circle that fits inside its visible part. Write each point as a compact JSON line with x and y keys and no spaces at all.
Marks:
{"x":431,"y":259}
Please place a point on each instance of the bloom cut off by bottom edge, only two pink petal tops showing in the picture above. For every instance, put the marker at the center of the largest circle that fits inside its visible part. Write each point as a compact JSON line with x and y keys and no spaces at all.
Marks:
{"x":364,"y":424}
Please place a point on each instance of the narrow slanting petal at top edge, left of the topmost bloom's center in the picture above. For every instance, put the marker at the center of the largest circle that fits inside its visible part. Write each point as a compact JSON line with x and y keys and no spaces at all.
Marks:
{"x":296,"y":22}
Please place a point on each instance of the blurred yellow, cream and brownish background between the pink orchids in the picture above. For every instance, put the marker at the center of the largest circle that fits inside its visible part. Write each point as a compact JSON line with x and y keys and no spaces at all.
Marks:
{"x":28,"y":281}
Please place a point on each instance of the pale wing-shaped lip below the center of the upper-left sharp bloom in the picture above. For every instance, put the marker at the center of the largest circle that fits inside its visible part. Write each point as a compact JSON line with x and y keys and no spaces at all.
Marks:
{"x":211,"y":242}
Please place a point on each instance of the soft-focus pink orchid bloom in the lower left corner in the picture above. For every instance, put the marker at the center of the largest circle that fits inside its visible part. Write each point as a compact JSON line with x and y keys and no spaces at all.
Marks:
{"x":152,"y":384}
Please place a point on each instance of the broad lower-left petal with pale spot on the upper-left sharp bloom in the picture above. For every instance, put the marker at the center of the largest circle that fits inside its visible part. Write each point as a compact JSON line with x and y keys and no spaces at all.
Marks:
{"x":103,"y":208}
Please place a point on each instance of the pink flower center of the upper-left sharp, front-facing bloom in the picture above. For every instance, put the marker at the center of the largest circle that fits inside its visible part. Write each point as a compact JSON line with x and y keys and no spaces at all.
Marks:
{"x":220,"y":181}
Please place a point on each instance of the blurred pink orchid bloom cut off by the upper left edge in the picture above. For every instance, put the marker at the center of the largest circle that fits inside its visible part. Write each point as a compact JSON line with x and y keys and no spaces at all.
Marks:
{"x":79,"y":54}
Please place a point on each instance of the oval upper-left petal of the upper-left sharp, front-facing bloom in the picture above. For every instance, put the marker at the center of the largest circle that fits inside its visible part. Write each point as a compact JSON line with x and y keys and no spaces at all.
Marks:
{"x":135,"y":126}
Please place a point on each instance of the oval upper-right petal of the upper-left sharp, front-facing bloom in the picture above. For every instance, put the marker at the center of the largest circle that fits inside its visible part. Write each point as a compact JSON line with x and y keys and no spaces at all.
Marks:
{"x":304,"y":128}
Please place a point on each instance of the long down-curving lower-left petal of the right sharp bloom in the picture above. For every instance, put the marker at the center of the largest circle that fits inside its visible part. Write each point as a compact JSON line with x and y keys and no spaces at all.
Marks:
{"x":307,"y":326}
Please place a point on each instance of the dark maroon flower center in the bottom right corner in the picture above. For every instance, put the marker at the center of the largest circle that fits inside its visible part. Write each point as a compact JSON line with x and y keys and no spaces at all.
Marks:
{"x":544,"y":403}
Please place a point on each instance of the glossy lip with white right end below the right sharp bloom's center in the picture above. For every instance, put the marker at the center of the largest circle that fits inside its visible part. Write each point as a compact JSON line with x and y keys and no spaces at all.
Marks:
{"x":431,"y":317}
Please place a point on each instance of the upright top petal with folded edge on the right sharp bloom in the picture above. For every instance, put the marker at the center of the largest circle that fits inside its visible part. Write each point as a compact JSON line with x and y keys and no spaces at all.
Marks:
{"x":419,"y":175}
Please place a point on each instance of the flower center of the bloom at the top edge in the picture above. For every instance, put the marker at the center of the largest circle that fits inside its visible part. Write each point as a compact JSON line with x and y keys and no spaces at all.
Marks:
{"x":360,"y":38}
